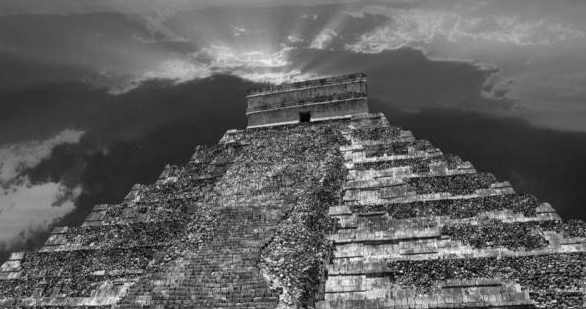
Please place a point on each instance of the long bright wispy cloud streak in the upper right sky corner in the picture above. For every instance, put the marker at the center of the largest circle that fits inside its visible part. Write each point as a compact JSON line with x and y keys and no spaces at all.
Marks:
{"x":422,"y":27}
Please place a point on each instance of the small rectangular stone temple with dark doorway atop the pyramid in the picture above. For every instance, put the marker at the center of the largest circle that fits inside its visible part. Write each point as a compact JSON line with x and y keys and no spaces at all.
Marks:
{"x":312,"y":100}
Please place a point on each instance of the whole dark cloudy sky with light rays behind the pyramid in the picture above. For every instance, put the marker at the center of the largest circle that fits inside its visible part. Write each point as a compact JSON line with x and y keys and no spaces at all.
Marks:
{"x":98,"y":95}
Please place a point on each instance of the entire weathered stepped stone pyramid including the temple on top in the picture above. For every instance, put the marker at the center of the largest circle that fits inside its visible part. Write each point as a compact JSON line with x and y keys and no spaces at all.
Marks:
{"x":317,"y":204}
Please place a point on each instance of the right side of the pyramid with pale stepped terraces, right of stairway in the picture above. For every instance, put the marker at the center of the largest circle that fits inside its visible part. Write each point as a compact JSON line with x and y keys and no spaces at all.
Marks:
{"x":441,"y":235}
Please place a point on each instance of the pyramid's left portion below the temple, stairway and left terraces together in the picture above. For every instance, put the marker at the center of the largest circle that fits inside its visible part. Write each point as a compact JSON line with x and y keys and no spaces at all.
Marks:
{"x":242,"y":225}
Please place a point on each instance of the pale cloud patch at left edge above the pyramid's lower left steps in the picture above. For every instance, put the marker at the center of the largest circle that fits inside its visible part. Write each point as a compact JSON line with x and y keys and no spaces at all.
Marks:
{"x":27,"y":208}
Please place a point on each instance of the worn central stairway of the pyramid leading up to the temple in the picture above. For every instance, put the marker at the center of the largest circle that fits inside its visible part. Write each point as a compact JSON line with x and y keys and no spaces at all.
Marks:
{"x":267,"y":245}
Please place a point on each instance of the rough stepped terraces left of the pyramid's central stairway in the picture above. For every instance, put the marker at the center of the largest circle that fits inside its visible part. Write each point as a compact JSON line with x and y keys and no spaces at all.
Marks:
{"x":96,"y":263}
